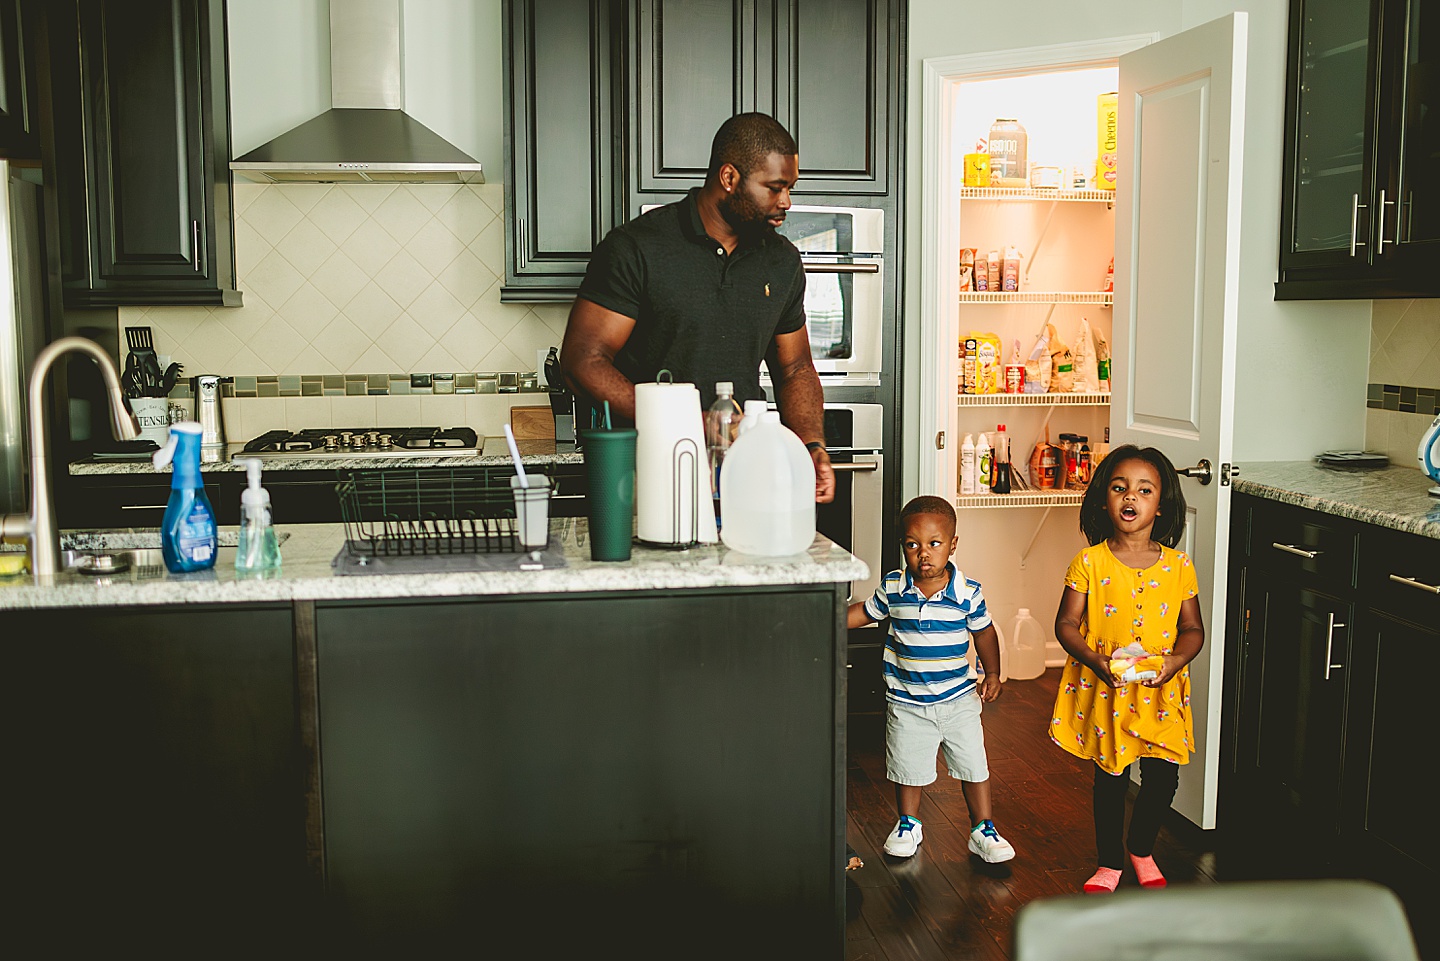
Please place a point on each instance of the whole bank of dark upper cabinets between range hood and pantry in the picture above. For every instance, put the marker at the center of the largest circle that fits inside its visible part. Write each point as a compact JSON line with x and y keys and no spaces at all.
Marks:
{"x":614,"y":107}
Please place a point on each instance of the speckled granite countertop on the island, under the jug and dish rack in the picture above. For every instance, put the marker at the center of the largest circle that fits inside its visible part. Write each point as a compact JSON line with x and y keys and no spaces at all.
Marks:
{"x":307,"y":574}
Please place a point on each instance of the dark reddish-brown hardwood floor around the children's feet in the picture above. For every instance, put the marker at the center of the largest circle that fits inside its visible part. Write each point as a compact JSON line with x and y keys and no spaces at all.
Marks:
{"x":948,"y":904}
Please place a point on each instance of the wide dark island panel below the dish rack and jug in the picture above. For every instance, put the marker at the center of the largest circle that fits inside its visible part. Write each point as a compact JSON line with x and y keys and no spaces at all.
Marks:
{"x":652,"y":770}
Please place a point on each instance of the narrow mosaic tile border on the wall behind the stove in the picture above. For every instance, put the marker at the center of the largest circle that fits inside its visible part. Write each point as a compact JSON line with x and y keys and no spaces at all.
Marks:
{"x":375,"y":385}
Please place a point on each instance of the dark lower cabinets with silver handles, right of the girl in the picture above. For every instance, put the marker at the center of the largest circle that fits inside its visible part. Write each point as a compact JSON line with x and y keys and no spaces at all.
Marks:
{"x":1330,"y":625}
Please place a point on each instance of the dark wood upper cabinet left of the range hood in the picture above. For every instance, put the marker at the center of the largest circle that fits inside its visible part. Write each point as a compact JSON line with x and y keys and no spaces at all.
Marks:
{"x":143,"y":152}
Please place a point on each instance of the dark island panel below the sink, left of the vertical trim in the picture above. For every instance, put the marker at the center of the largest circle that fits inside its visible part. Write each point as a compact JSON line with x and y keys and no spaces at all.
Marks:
{"x":153,"y":780}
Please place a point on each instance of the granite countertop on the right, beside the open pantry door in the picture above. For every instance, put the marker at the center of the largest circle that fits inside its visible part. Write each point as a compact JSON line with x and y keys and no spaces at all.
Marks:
{"x":1389,"y":498}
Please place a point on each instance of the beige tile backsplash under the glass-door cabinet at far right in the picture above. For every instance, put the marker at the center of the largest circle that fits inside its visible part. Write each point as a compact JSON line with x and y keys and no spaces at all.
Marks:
{"x":1405,"y":377}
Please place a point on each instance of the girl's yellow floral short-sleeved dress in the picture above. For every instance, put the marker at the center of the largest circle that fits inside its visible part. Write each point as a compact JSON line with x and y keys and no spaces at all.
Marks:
{"x":1115,"y":727}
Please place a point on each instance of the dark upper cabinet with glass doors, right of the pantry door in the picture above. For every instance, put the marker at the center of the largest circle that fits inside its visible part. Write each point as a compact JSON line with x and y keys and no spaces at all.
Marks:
{"x":1362,"y":215}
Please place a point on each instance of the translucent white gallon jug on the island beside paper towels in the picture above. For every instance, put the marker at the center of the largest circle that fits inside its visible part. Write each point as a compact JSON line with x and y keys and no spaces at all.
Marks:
{"x":768,"y":491}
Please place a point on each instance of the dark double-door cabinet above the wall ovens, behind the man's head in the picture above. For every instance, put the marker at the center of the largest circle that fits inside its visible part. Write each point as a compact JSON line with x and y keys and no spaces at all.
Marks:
{"x":823,"y":68}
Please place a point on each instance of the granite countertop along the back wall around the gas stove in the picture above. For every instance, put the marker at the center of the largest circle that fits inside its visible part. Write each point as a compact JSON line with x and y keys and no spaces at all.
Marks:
{"x":493,"y":453}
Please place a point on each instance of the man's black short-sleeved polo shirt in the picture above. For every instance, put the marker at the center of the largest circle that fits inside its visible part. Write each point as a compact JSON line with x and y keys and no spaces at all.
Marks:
{"x":699,"y":313}
